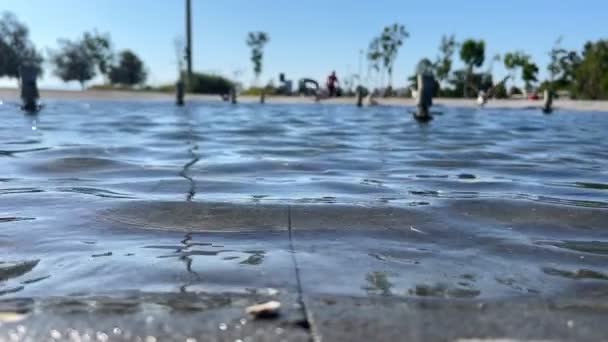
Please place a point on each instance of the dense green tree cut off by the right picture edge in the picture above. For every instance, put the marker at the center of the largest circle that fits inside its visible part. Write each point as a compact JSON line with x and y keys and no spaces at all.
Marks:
{"x":591,"y":76}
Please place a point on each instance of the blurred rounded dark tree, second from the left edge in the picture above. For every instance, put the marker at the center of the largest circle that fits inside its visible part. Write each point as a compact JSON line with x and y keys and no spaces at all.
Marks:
{"x":72,"y":62}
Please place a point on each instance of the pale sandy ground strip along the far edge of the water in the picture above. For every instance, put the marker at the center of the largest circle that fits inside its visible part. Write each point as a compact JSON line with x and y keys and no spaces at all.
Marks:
{"x":13,"y":95}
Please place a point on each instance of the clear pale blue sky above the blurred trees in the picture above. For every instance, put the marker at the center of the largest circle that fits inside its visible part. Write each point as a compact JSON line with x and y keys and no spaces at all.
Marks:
{"x":308,"y":38}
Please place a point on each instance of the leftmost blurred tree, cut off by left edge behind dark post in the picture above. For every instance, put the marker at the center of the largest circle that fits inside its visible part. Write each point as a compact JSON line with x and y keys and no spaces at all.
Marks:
{"x":15,"y":47}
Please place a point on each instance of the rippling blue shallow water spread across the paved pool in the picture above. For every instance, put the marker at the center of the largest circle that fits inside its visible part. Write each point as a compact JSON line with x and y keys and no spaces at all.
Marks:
{"x":111,"y":197}
